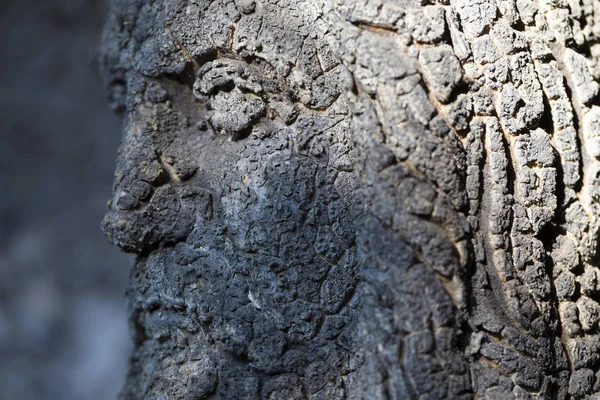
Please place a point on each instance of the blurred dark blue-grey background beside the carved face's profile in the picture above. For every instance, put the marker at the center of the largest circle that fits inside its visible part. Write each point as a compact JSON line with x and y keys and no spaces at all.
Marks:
{"x":63,"y":324}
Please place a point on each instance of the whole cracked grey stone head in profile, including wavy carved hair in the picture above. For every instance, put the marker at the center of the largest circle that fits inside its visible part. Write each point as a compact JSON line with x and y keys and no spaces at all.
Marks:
{"x":374,"y":199}
